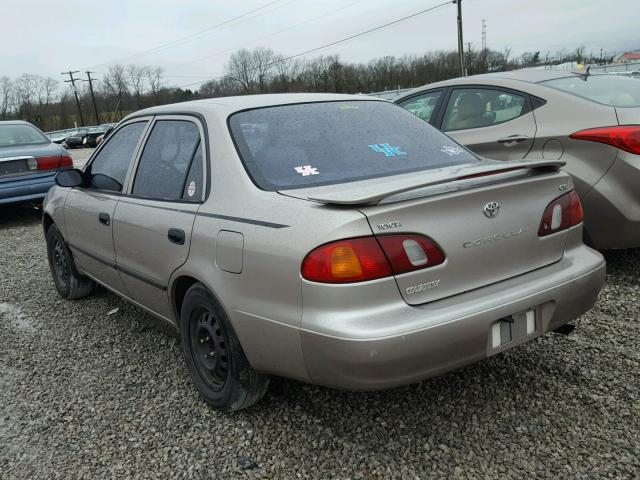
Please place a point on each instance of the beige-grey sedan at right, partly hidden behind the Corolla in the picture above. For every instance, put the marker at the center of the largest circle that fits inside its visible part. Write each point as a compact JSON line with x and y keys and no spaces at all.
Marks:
{"x":589,"y":121}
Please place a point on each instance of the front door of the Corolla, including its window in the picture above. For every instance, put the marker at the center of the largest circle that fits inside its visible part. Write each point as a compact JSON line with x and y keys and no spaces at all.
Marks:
{"x":89,"y":210}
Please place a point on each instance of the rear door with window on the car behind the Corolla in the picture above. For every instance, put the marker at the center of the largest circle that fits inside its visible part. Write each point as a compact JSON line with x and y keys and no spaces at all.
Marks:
{"x":493,"y":122}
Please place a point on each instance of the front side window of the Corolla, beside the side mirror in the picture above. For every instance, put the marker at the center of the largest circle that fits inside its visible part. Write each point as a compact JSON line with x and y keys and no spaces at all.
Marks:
{"x":109,"y":169}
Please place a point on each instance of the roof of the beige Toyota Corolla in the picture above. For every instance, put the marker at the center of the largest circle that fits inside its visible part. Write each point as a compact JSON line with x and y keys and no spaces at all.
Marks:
{"x":234,"y":104}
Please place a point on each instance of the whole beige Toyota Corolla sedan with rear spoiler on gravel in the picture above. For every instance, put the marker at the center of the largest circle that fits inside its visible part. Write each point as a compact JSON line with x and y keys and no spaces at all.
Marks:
{"x":335,"y":239}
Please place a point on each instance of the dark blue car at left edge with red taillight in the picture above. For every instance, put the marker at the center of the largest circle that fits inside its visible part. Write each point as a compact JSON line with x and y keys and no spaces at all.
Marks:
{"x":29,"y":162}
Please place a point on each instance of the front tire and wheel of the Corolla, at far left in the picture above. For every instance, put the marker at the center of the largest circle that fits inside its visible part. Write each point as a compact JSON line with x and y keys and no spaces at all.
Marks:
{"x":68,"y":281}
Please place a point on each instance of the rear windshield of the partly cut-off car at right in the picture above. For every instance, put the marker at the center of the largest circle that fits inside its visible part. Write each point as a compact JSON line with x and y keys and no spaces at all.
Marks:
{"x":613,"y":90}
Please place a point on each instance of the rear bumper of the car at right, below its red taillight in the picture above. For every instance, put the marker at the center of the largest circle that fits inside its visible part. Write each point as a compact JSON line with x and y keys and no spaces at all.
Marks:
{"x":612,"y":206}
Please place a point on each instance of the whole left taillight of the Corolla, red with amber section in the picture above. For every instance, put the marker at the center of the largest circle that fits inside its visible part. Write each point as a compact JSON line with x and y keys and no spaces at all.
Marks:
{"x":369,"y":258}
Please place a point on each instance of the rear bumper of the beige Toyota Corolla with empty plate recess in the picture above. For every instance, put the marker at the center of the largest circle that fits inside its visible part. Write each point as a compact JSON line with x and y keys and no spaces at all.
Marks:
{"x":440,"y":336}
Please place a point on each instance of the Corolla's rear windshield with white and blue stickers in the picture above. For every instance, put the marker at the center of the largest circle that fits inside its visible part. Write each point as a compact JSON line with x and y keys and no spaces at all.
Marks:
{"x":312,"y":144}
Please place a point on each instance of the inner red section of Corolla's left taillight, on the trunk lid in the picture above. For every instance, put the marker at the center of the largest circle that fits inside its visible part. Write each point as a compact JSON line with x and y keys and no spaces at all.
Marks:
{"x":410,"y":252}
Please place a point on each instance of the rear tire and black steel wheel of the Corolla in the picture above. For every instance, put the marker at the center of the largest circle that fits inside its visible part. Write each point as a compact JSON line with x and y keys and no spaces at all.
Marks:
{"x":214,"y":357}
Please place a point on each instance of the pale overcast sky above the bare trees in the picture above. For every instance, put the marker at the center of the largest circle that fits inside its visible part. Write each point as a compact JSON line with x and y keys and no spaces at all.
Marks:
{"x":46,"y":37}
